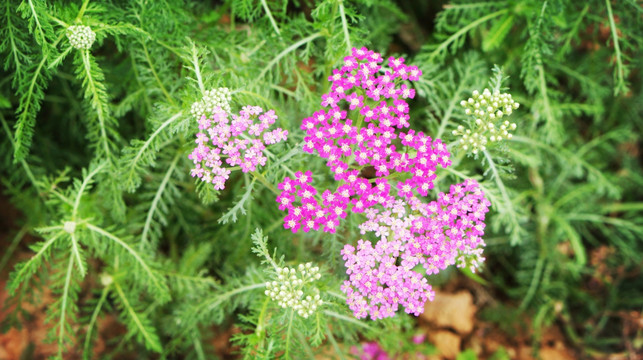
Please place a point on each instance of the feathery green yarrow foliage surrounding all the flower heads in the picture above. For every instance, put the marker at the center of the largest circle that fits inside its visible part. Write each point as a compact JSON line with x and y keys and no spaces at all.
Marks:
{"x":95,"y":141}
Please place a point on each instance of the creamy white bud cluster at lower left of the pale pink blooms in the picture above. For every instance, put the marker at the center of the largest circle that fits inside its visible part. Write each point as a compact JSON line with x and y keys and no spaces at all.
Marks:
{"x":288,"y":289}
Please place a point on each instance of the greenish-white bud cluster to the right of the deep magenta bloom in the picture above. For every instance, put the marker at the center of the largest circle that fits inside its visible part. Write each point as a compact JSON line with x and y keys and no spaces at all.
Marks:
{"x":488,"y":110}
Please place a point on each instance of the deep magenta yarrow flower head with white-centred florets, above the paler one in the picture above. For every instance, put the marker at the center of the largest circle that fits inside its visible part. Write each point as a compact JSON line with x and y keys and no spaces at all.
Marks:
{"x":376,"y":100}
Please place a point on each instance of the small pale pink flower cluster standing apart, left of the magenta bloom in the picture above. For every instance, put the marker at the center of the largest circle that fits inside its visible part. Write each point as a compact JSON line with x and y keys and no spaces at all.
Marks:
{"x":240,"y":142}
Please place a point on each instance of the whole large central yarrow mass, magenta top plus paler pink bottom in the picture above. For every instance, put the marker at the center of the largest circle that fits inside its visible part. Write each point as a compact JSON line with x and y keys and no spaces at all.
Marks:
{"x":362,"y":126}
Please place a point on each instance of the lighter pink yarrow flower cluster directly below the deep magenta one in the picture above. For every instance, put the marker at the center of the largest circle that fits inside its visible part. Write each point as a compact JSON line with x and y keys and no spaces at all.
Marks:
{"x":434,"y":235}
